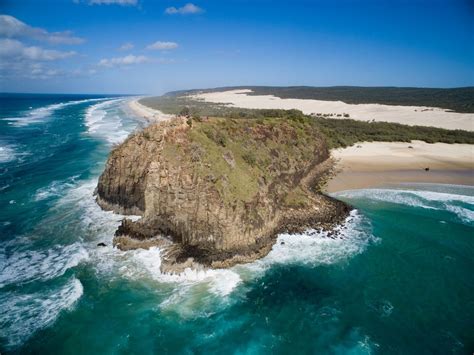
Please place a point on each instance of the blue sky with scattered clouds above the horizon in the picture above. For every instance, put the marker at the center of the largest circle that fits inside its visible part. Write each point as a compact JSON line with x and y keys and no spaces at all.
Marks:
{"x":151,"y":47}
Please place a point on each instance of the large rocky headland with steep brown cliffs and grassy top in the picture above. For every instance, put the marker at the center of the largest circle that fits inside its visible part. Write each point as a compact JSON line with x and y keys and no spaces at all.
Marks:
{"x":217,"y":191}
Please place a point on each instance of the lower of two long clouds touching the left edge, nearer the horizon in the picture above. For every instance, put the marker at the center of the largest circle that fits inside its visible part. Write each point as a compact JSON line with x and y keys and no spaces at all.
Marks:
{"x":13,"y":50}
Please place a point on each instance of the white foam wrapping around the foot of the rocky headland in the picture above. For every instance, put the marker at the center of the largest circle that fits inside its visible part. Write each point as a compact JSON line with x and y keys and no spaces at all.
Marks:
{"x":198,"y":290}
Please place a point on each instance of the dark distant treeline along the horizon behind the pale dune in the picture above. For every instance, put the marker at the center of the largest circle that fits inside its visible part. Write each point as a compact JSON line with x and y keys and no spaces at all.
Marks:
{"x":455,"y":99}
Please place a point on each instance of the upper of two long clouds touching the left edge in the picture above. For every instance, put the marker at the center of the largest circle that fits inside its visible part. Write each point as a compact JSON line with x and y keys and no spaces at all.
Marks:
{"x":11,"y":27}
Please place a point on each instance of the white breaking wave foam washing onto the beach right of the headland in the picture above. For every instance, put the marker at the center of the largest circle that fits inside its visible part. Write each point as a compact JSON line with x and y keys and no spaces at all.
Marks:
{"x":419,"y":198}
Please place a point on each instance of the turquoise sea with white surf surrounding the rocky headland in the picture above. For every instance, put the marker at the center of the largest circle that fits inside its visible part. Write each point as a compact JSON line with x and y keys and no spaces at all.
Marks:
{"x":399,"y":281}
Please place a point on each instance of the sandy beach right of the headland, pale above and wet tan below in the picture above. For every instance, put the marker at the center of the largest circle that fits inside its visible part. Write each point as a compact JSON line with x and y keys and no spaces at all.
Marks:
{"x":377,"y":164}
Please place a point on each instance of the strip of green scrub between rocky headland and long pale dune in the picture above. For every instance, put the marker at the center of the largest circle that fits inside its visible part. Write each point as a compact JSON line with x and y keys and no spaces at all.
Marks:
{"x":340,"y":132}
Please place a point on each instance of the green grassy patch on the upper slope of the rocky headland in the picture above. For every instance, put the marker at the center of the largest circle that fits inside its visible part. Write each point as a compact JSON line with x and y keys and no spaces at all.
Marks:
{"x":263,"y":150}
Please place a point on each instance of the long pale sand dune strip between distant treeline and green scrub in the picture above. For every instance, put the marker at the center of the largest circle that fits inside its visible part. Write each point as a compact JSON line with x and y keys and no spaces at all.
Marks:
{"x":410,"y":115}
